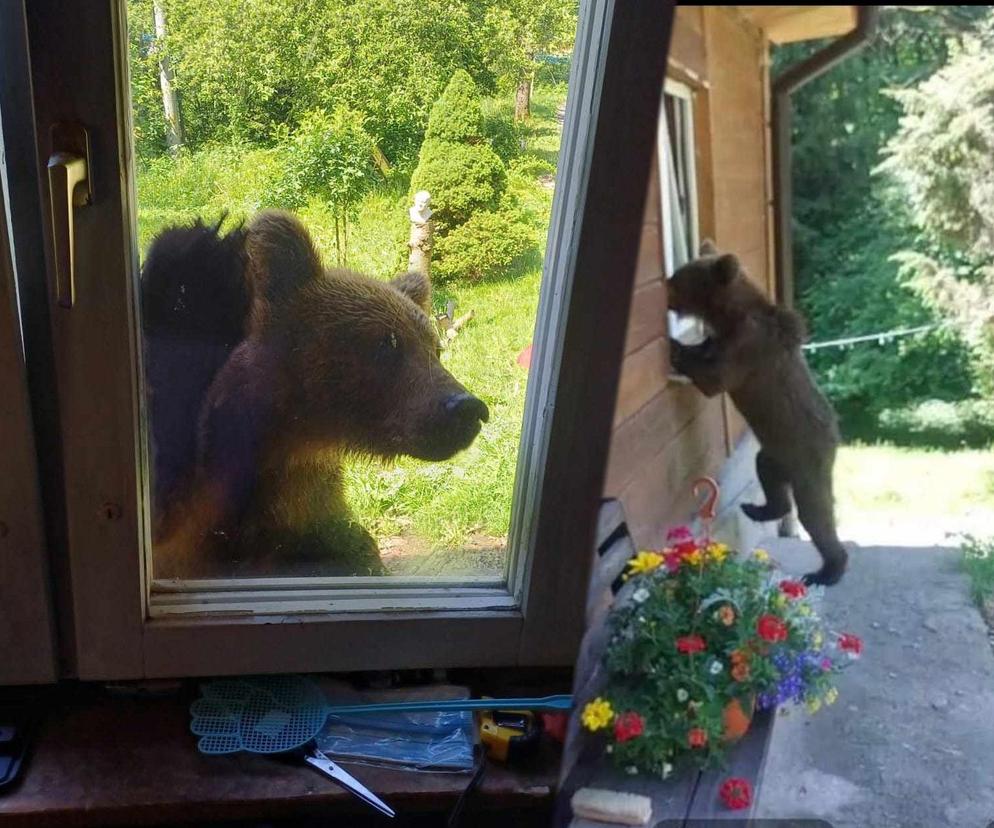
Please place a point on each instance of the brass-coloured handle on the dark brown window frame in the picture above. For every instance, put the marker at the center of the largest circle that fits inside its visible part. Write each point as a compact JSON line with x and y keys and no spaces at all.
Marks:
{"x":69,"y":188}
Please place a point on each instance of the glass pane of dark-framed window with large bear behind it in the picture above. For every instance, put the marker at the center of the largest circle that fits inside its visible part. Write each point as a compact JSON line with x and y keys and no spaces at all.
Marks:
{"x":303,"y":419}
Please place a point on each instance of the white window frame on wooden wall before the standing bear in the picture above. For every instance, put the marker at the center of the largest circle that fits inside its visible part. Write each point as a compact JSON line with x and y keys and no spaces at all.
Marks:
{"x":680,"y":328}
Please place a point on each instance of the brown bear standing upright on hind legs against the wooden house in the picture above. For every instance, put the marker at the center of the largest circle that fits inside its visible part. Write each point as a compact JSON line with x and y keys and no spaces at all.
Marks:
{"x":754,"y":353}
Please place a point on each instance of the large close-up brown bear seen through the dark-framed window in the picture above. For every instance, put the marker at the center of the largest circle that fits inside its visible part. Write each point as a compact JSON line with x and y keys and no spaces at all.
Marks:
{"x":329,"y":363}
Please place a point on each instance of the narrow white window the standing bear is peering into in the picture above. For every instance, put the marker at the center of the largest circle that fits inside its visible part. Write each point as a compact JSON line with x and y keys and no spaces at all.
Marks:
{"x":678,"y":193}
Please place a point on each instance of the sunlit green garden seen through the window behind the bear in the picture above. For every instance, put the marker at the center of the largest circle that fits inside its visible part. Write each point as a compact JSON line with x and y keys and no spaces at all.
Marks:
{"x":340,"y":112}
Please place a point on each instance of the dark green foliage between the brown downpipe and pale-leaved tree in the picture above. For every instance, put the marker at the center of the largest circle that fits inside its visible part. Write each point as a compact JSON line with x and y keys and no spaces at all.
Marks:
{"x":848,"y":224}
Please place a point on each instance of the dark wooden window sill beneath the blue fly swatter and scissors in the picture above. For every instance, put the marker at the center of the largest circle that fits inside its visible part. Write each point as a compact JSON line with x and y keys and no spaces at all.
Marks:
{"x":113,"y":761}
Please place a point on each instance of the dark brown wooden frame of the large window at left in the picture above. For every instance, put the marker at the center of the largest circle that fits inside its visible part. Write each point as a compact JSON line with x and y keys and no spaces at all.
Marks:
{"x":115,"y":635}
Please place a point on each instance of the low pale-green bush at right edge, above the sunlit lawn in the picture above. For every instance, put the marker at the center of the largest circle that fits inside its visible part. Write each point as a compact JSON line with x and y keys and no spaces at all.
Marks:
{"x":940,"y":424}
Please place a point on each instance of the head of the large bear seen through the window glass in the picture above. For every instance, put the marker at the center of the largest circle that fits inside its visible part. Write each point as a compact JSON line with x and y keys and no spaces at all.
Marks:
{"x":360,"y":357}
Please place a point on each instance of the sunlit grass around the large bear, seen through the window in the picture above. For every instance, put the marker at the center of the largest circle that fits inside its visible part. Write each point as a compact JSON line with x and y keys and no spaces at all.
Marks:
{"x":435,"y":506}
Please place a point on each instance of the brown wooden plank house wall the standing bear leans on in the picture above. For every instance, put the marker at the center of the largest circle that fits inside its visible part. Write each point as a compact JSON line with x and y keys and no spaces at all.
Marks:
{"x":667,"y":434}
